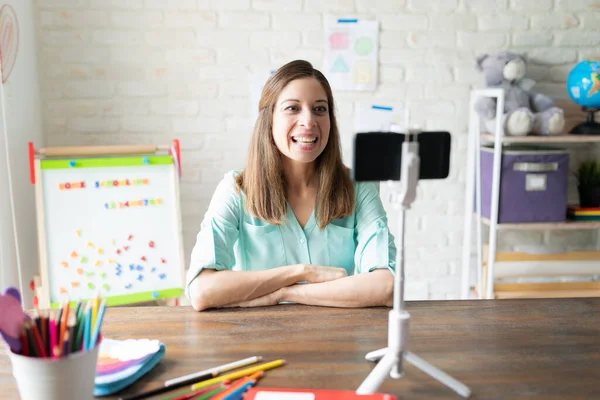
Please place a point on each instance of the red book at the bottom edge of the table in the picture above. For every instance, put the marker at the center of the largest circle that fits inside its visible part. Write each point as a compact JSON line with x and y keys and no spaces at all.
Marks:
{"x":311,"y":394}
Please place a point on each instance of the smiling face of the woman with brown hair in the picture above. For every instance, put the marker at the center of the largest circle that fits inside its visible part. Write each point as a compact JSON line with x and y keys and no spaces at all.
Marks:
{"x":301,"y":120}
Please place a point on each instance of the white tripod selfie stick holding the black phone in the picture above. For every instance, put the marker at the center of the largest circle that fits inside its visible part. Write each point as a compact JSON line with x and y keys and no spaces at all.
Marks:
{"x":392,"y":356}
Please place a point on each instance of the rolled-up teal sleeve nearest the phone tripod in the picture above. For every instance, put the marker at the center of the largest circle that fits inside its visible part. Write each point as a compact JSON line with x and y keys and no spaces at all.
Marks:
{"x":375,"y":244}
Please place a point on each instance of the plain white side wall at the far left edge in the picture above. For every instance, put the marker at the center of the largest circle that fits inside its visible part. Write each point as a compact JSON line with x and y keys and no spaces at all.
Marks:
{"x":21,"y":122}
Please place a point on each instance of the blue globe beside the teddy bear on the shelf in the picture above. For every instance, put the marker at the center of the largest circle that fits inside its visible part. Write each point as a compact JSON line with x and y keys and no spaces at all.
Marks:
{"x":583,"y":83}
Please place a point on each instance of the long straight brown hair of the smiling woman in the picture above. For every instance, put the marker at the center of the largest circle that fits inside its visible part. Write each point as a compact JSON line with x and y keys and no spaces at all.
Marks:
{"x":262,"y":180}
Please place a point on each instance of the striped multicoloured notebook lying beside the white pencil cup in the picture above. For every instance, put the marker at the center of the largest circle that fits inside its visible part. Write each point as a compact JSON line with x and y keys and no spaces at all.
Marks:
{"x":122,"y":362}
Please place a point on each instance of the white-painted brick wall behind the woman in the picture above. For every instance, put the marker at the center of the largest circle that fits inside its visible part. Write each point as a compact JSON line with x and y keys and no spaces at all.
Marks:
{"x":146,"y":71}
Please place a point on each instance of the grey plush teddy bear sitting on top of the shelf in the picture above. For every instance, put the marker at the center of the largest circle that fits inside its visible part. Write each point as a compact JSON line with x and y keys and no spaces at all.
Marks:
{"x":524,"y":112}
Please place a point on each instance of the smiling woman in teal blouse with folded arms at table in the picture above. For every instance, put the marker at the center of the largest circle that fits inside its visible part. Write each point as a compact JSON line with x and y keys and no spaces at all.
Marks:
{"x":293,"y":215}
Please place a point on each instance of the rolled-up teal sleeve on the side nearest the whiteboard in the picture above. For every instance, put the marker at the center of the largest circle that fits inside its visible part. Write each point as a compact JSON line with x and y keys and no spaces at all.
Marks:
{"x":218,"y":232}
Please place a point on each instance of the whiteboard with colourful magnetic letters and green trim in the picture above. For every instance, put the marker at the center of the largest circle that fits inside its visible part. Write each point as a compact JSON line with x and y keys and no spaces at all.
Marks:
{"x":110,"y":225}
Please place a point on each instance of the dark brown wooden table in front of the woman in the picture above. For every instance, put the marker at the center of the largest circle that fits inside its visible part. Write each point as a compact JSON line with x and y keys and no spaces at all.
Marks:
{"x":502,"y":349}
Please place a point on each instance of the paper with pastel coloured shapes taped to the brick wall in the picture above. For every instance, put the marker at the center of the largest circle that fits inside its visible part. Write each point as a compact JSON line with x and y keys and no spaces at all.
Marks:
{"x":351,"y":54}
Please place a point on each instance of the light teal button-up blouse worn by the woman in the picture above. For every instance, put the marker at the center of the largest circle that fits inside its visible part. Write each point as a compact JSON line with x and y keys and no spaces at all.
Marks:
{"x":232,"y":239}
